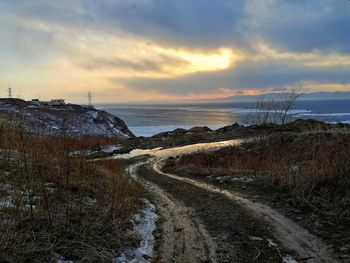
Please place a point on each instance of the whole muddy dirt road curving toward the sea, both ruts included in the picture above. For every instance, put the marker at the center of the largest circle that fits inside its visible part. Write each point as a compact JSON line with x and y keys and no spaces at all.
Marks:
{"x":203,"y":223}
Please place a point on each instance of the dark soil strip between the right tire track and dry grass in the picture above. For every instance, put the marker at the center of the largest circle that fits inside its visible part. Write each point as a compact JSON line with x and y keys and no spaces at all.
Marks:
{"x":336,"y":236}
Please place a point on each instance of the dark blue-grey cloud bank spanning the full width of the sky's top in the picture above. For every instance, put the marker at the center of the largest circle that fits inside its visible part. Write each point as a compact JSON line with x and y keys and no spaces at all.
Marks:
{"x":289,"y":25}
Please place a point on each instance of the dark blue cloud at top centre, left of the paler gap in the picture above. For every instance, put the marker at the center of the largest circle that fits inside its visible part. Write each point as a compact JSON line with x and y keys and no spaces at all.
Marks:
{"x":182,"y":22}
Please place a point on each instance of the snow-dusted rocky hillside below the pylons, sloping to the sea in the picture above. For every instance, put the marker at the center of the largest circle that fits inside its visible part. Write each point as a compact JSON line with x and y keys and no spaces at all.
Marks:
{"x":69,"y":119}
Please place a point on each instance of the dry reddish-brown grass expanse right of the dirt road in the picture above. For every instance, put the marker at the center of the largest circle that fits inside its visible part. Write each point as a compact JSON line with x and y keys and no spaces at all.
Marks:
{"x":312,"y":168}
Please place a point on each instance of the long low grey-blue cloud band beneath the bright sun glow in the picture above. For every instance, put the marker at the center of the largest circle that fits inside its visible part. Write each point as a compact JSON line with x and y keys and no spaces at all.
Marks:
{"x":247,"y":75}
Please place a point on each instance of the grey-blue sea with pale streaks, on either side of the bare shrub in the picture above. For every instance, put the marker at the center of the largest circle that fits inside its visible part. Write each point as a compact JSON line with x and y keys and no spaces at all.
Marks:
{"x":149,"y":119}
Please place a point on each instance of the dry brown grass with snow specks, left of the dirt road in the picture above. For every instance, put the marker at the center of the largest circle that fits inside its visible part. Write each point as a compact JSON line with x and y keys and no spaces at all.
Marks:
{"x":60,"y":206}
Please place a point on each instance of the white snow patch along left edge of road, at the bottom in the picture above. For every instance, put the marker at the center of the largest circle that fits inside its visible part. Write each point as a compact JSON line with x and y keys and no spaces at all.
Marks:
{"x":144,"y":225}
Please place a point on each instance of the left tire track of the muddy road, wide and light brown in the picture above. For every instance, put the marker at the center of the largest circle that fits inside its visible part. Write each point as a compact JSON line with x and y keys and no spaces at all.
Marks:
{"x":183,"y":238}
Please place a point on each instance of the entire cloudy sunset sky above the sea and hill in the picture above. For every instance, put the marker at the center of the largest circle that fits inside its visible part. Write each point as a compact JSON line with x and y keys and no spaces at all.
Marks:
{"x":171,"y":50}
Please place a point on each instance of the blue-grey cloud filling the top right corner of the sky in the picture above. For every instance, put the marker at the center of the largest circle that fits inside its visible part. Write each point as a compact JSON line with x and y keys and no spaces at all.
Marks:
{"x":299,"y":25}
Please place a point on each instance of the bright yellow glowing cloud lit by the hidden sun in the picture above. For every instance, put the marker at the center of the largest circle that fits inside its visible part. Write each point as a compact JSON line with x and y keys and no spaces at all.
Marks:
{"x":130,"y":58}
